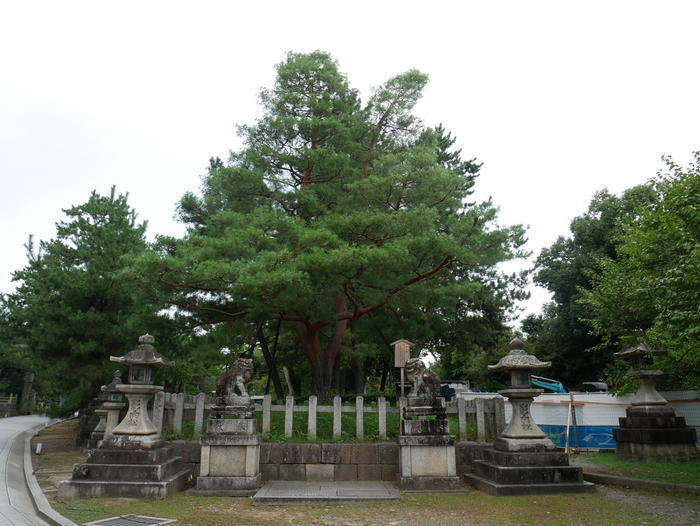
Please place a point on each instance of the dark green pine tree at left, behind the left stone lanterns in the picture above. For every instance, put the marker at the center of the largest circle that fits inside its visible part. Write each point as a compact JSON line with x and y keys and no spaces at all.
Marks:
{"x":73,"y":308}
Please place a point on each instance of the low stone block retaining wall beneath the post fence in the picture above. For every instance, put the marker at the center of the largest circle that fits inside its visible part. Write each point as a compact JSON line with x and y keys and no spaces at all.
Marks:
{"x":332,"y":462}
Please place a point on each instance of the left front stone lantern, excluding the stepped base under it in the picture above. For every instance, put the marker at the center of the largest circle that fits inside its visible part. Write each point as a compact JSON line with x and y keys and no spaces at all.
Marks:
{"x":136,"y":431}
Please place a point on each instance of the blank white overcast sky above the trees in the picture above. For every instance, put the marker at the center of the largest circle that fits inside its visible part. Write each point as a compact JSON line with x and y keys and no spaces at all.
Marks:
{"x":557,"y":99}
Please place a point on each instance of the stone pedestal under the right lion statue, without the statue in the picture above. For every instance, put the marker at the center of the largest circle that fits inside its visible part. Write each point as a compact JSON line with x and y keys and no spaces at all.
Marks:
{"x":427,"y":451}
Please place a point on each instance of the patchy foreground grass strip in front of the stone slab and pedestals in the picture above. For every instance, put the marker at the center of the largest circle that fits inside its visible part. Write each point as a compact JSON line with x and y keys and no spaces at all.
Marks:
{"x":473,"y":508}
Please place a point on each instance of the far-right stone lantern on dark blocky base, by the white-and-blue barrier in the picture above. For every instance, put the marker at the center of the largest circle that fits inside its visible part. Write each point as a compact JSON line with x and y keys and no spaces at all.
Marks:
{"x":651,"y":430}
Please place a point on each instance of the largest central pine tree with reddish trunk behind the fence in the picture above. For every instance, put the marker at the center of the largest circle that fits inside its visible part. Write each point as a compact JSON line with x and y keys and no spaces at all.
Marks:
{"x":333,"y":210}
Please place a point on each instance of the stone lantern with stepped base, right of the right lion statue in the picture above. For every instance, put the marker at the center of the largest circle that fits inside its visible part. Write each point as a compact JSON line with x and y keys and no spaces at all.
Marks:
{"x":523,"y":461}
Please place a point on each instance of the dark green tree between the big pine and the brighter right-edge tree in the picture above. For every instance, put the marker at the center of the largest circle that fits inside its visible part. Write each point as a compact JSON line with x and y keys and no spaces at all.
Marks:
{"x":561,"y":333}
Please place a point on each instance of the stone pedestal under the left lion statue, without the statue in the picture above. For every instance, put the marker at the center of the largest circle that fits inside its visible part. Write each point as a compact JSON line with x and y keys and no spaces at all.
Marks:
{"x":230,"y":459}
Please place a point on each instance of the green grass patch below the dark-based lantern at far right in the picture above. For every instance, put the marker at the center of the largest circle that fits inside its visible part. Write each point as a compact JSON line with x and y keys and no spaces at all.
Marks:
{"x":677,"y":472}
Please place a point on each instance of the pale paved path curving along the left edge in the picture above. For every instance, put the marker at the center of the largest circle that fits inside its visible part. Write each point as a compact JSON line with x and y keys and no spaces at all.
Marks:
{"x":16,"y":508}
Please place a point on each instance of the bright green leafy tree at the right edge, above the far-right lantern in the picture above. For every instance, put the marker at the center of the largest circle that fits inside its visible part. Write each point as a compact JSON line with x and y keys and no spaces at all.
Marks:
{"x":653,"y":285}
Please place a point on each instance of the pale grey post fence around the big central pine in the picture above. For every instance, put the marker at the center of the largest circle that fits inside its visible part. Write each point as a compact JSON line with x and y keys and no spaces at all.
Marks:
{"x":173,"y":410}
